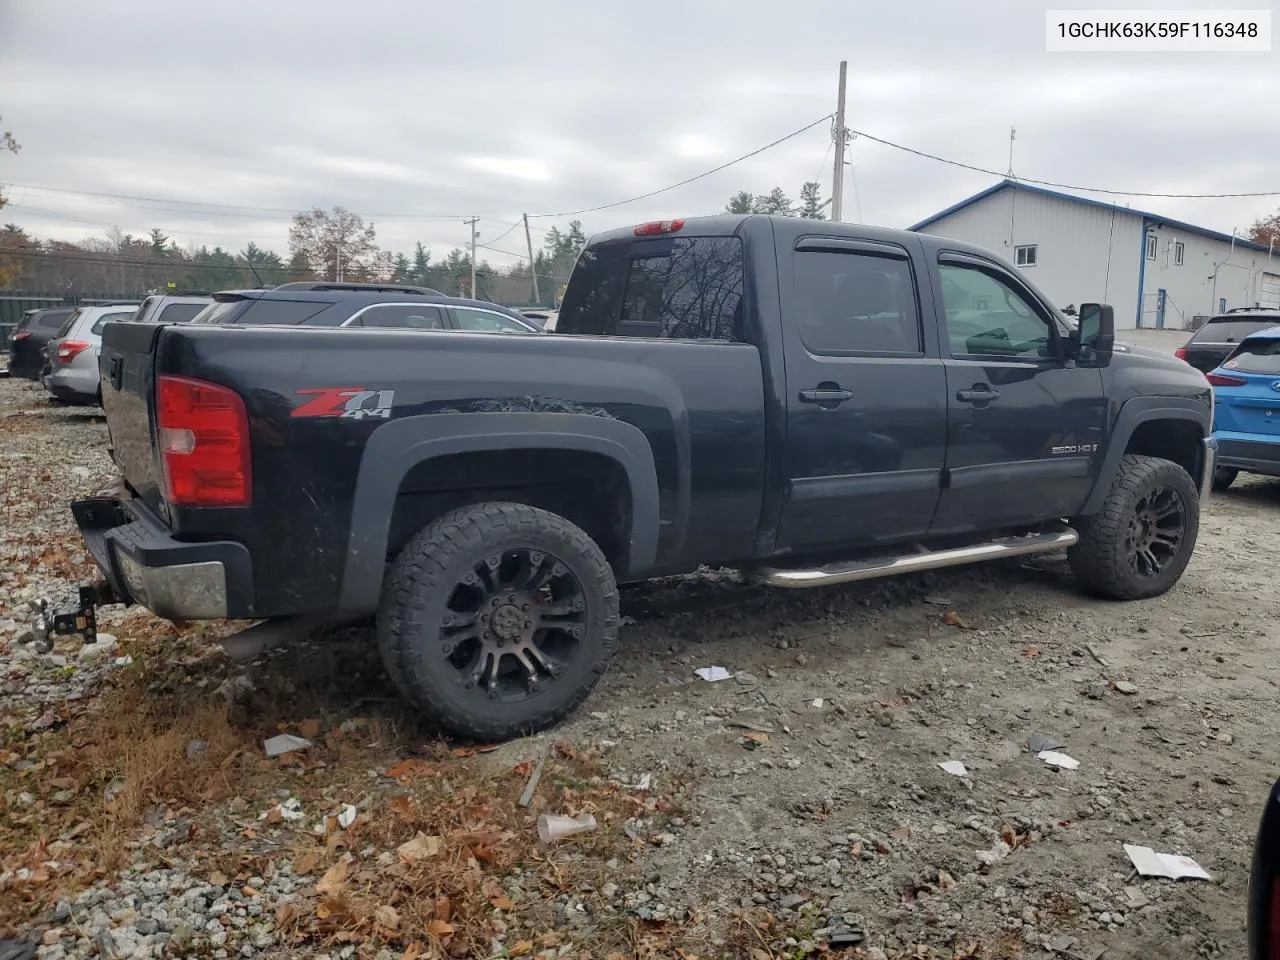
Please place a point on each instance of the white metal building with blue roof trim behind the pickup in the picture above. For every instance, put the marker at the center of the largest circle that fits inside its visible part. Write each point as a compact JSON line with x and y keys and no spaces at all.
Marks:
{"x":1155,"y":272}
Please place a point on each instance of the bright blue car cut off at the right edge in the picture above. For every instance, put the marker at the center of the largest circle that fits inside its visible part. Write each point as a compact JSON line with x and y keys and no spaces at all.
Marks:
{"x":1247,"y":409}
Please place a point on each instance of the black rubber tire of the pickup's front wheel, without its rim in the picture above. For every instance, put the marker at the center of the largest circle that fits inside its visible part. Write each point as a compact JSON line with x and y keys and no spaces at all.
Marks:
{"x":1101,"y":560}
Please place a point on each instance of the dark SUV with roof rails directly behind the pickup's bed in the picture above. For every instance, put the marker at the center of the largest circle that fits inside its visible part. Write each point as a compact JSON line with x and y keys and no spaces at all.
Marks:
{"x":362,"y":305}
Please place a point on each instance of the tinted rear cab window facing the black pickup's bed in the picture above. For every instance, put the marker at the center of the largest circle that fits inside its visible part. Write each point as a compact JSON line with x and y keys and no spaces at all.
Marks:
{"x":670,"y":289}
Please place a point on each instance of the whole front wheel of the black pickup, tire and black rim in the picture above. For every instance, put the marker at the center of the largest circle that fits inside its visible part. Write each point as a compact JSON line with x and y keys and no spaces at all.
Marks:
{"x":1142,"y":540}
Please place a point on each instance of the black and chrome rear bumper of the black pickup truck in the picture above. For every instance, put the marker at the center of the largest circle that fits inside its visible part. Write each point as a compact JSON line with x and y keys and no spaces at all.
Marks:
{"x":145,"y":564}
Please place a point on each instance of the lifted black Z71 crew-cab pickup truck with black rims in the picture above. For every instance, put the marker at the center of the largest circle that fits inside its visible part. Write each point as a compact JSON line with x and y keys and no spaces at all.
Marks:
{"x":811,"y":403}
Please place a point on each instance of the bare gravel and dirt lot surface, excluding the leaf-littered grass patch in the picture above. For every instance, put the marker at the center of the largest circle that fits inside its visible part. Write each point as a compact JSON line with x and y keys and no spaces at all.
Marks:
{"x":831,"y":817}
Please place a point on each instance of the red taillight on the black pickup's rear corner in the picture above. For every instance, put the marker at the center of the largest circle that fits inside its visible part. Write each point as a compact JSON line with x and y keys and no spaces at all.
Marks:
{"x":204,"y":444}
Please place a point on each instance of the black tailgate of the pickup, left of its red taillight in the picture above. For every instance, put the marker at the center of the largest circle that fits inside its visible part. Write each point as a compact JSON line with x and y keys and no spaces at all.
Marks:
{"x":129,"y":399}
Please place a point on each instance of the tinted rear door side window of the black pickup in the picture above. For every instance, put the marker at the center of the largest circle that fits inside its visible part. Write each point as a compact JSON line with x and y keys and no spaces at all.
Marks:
{"x":856,"y":304}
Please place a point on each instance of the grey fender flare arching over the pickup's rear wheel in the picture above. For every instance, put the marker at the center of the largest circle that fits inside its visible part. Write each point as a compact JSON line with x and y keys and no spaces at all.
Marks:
{"x":403,"y":445}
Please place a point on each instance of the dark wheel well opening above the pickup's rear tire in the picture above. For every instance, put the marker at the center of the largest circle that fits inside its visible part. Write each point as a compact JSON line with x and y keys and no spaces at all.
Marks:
{"x":588,"y":490}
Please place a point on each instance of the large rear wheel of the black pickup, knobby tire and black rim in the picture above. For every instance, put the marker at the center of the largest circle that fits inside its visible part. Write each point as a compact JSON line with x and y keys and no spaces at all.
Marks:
{"x":497,"y":620}
